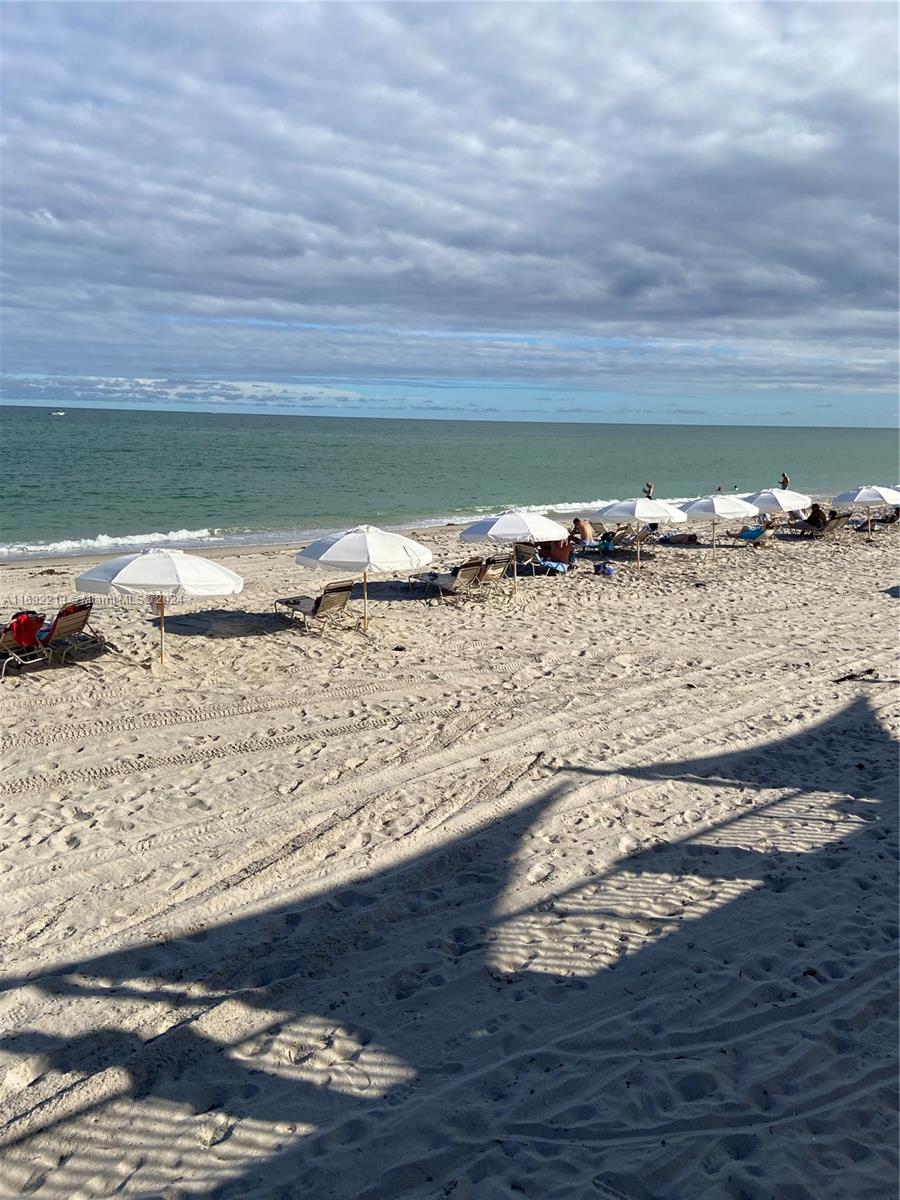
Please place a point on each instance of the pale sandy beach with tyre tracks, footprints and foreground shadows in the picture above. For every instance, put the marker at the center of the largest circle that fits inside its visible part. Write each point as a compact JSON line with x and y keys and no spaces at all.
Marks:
{"x":589,"y":895}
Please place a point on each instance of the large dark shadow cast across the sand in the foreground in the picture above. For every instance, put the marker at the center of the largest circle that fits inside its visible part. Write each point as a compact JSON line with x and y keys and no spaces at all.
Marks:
{"x":712,"y":1017}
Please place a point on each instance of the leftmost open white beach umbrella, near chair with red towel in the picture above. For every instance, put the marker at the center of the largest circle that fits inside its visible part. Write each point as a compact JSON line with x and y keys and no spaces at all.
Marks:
{"x":163,"y":575}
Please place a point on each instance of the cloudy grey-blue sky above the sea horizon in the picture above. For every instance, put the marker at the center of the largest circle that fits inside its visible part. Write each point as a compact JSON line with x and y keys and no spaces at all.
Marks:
{"x":590,"y":212}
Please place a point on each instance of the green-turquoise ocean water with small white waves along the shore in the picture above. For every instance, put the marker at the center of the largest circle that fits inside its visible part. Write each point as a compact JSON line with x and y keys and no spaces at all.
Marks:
{"x":107,"y":479}
